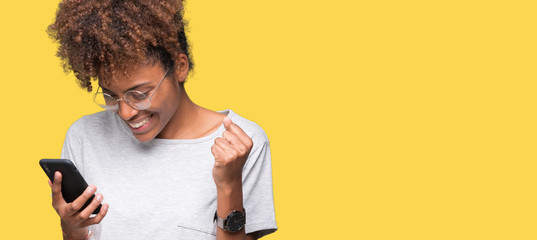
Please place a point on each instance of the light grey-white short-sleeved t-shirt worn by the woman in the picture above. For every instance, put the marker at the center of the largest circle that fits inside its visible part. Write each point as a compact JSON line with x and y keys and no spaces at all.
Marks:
{"x":163,"y":188}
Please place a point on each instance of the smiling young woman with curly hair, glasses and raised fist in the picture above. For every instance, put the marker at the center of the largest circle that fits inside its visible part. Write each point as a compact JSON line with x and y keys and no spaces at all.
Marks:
{"x":165,"y":167}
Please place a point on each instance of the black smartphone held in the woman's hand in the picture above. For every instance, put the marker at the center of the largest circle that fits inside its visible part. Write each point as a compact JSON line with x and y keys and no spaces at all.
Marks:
{"x":73,"y":184}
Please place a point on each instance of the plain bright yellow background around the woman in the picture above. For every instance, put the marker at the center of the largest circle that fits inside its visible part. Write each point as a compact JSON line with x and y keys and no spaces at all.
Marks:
{"x":387,"y":119}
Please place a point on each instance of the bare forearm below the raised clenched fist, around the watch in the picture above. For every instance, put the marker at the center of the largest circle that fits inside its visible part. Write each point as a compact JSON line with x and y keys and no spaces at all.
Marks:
{"x":229,"y":199}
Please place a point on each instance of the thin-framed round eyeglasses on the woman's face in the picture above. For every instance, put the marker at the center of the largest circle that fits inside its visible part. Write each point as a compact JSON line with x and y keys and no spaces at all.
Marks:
{"x":134,"y":98}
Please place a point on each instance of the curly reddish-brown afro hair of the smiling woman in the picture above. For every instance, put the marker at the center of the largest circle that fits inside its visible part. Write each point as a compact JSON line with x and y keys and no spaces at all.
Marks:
{"x":104,"y":35}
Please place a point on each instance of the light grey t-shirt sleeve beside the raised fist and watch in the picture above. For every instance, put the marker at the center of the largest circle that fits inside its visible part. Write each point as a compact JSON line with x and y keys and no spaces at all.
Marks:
{"x":257,"y":189}
